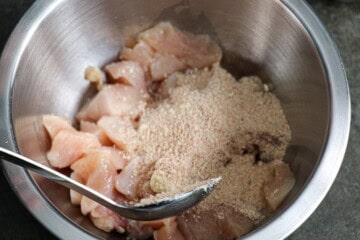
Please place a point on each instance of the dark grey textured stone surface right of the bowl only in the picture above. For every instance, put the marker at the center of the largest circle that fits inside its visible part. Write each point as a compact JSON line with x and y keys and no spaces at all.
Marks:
{"x":338,"y":216}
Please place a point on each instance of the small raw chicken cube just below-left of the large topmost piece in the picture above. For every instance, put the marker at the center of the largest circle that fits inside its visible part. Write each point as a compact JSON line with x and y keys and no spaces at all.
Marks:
{"x":127,"y":72}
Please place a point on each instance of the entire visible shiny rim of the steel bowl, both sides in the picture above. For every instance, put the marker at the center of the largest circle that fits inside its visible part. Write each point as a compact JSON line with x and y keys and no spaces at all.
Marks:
{"x":281,"y":226}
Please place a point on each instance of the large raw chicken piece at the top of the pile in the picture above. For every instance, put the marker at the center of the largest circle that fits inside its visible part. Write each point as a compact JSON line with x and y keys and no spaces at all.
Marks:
{"x":163,"y":50}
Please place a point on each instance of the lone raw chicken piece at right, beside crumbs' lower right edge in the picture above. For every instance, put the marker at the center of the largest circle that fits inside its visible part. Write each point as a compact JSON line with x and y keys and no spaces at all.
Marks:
{"x":279,"y":187}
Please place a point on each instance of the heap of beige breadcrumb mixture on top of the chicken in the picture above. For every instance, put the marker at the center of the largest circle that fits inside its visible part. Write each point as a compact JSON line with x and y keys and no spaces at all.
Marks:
{"x":212,"y":125}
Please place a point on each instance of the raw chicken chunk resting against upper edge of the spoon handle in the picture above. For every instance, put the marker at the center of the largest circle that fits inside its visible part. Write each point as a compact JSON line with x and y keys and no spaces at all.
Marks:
{"x":69,"y":146}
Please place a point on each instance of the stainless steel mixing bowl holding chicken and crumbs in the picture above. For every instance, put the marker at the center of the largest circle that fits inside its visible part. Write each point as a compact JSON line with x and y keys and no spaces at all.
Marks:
{"x":41,"y":71}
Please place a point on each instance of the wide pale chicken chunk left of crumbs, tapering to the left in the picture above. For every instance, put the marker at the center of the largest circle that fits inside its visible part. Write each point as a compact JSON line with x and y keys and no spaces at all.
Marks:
{"x":115,"y":100}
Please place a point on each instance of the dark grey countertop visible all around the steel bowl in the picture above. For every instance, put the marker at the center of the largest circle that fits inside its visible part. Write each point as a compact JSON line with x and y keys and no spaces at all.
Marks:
{"x":338,"y":216}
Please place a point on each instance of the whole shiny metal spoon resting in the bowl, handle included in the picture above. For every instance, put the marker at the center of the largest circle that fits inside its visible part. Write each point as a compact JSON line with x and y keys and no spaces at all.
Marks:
{"x":161,"y":209}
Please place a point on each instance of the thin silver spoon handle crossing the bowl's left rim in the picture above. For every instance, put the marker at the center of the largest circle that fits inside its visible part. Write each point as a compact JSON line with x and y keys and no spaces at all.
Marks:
{"x":57,"y":177}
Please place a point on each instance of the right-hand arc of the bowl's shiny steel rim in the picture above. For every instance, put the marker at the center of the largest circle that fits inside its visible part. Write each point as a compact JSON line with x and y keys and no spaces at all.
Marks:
{"x":323,"y":176}
